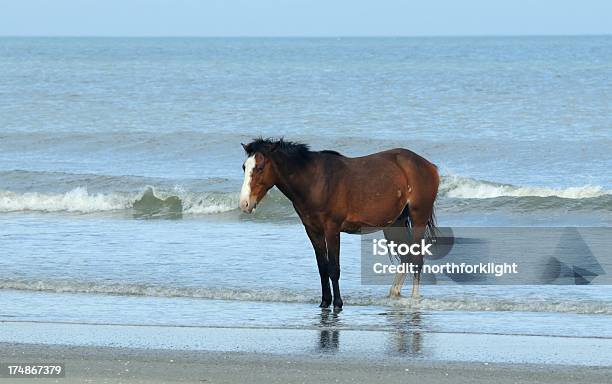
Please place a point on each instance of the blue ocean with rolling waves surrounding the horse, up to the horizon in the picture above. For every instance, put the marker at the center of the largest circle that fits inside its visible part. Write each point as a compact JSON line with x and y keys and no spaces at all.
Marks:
{"x":120,"y":170}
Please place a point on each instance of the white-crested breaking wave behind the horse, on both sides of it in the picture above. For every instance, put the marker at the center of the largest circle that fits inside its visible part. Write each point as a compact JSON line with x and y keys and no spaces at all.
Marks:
{"x":456,"y":194}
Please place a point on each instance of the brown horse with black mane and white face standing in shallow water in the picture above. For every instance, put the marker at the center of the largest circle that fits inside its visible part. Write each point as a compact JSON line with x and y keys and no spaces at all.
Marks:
{"x":332,"y":193}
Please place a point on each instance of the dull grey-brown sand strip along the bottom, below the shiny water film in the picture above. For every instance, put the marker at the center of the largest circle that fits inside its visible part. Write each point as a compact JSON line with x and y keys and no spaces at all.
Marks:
{"x":124,"y":365}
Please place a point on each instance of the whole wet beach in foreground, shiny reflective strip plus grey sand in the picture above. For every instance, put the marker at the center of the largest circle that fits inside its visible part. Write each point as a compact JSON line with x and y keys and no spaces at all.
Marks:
{"x":132,"y":353}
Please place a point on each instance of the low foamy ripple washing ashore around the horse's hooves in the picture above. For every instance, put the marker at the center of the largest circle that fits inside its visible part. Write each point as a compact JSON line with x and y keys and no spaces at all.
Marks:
{"x":285,"y":296}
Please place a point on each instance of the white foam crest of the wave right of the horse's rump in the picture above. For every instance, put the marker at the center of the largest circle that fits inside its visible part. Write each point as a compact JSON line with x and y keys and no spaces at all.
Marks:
{"x":467,"y":188}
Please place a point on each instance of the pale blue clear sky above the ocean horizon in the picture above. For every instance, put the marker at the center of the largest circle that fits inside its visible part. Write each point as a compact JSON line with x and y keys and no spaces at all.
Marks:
{"x":304,"y":17}
